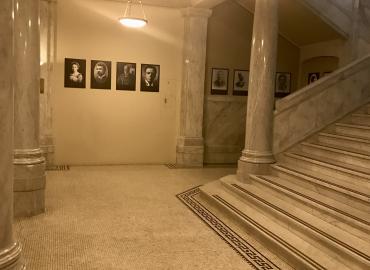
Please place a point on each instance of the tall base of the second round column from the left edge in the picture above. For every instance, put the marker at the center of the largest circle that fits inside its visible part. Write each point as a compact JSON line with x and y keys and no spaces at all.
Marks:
{"x":29,"y":183}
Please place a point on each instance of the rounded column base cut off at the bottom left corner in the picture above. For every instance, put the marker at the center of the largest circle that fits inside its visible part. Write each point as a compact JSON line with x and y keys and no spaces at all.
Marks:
{"x":10,"y":259}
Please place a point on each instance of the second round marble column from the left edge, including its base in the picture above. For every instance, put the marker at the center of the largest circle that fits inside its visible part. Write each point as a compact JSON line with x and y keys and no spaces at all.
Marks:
{"x":29,"y":169}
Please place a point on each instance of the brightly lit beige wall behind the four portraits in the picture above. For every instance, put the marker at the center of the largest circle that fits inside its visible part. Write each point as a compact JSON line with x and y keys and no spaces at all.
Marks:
{"x":108,"y":126}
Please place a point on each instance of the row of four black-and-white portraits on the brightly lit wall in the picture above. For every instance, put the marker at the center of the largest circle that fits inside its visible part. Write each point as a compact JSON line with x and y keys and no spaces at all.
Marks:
{"x":101,"y":75}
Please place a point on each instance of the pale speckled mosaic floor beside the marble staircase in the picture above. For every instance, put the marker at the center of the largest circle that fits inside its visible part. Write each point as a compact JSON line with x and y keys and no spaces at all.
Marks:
{"x":123,"y":217}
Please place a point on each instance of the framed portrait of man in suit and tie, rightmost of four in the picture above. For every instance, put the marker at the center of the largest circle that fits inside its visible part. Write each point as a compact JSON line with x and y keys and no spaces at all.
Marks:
{"x":150,"y":75}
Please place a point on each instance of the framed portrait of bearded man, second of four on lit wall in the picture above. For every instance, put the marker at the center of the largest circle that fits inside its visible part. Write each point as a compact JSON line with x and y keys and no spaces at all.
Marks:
{"x":100,"y":74}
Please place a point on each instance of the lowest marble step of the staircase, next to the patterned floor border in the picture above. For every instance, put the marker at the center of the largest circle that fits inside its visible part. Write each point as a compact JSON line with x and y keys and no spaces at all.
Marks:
{"x":285,"y":244}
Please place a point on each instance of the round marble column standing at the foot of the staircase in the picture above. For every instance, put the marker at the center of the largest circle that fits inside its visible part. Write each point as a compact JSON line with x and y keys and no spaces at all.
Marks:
{"x":257,"y":154}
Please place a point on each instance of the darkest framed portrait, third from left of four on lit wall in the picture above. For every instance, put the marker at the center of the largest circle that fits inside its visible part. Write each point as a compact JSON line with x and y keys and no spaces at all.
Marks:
{"x":126,"y":76}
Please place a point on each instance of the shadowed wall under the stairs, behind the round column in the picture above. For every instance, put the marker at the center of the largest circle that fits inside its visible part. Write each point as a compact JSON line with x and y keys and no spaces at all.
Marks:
{"x":229,"y":44}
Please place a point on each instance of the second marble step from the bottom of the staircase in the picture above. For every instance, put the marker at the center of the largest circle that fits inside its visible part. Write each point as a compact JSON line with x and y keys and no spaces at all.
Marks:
{"x":335,"y":242}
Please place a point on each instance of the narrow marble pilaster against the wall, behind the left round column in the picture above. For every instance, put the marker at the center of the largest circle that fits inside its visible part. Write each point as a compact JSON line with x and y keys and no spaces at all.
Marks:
{"x":47,"y":62}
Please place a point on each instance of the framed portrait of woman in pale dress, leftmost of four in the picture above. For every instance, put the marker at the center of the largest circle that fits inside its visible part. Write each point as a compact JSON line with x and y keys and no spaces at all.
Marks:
{"x":74,"y":73}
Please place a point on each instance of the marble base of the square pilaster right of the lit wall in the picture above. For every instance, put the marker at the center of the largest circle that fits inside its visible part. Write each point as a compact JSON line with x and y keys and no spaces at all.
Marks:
{"x":190,"y":152}
